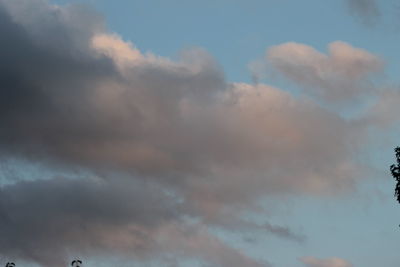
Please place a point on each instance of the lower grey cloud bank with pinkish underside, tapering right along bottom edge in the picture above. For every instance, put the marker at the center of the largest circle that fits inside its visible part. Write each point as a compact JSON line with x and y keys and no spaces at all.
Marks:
{"x":44,"y":220}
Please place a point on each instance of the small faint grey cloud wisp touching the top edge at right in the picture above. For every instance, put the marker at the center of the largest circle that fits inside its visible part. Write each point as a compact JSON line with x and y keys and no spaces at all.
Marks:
{"x":367,"y":11}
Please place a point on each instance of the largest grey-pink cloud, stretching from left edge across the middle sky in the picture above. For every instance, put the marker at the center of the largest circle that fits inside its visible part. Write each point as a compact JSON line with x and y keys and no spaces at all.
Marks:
{"x":160,"y":117}
